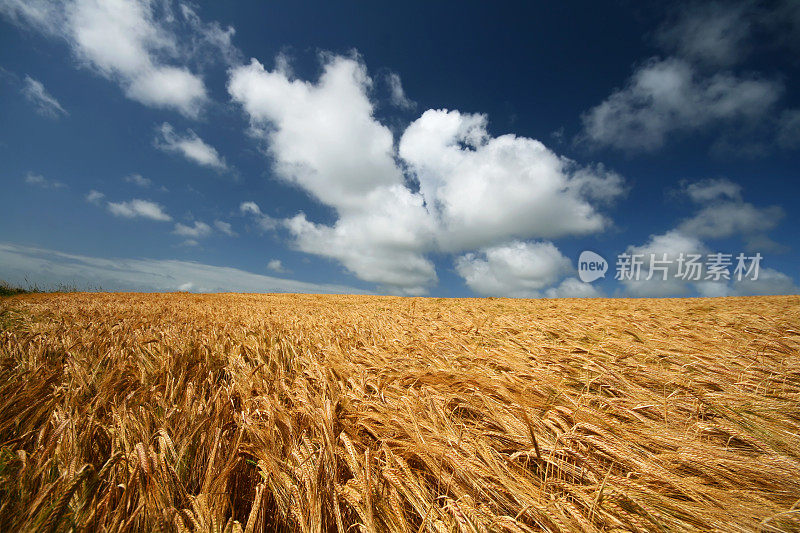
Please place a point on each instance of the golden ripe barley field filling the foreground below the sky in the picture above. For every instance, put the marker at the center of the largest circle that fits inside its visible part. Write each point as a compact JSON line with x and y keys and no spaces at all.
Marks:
{"x":237,"y":412}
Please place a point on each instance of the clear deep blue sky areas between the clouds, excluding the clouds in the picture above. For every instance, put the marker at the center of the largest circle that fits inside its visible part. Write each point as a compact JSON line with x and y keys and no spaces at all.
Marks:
{"x":533,"y":68}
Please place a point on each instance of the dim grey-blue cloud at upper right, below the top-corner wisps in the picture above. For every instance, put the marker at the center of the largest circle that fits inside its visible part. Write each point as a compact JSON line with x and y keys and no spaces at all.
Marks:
{"x":669,"y":96}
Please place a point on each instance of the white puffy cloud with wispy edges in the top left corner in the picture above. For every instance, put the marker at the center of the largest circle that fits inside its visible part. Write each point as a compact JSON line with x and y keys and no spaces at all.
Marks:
{"x":132,"y":42}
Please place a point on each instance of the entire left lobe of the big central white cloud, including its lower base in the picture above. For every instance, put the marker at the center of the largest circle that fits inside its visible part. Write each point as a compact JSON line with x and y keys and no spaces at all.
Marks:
{"x":324,"y":138}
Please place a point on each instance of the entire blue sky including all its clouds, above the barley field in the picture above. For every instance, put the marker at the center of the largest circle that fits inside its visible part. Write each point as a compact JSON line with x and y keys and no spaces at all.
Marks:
{"x":417,"y":148}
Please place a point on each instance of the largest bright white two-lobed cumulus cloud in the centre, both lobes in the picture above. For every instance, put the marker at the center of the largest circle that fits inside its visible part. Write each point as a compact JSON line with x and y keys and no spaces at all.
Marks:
{"x":325,"y":138}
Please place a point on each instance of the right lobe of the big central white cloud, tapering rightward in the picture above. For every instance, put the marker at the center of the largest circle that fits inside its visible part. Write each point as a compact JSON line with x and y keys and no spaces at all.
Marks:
{"x":486,"y":189}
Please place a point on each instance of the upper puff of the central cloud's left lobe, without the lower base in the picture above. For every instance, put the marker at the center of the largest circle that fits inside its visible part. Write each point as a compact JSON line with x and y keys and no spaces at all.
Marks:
{"x":323,"y":137}
